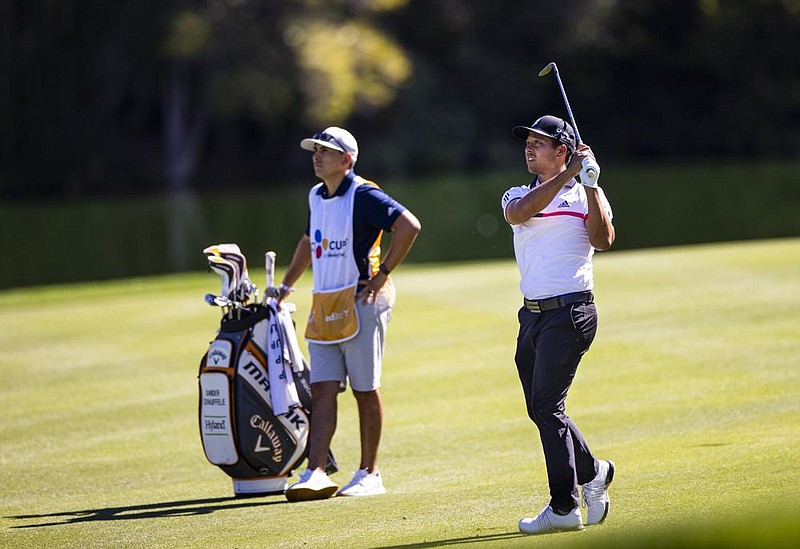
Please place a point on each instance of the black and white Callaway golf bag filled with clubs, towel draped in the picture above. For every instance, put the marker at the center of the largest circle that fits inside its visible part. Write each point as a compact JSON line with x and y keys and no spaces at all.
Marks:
{"x":255,"y":396}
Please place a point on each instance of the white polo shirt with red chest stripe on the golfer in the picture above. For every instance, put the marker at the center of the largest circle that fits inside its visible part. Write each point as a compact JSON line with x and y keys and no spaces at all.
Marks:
{"x":552,"y":248}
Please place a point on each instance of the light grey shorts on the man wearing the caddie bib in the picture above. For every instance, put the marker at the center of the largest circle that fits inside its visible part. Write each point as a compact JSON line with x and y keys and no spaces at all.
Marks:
{"x":360,"y":358}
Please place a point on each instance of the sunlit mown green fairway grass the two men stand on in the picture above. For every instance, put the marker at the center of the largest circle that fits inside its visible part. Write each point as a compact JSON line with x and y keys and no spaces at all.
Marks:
{"x":691,"y":387}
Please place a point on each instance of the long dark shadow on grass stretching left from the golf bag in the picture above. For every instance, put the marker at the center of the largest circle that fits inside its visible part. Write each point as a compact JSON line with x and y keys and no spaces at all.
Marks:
{"x":146,"y":511}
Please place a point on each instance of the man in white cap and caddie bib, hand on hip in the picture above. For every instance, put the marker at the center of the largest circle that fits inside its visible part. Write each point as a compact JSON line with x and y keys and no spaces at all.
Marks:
{"x":352,"y":302}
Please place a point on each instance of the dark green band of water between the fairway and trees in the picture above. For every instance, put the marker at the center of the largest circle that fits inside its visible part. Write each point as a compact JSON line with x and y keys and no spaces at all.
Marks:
{"x":460,"y":213}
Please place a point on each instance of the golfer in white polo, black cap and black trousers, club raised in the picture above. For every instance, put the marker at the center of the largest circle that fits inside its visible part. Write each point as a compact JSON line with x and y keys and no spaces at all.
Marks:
{"x":558,"y":221}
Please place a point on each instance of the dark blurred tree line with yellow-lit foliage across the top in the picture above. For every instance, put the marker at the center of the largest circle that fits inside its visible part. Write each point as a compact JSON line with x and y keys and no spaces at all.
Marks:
{"x":113,"y":98}
